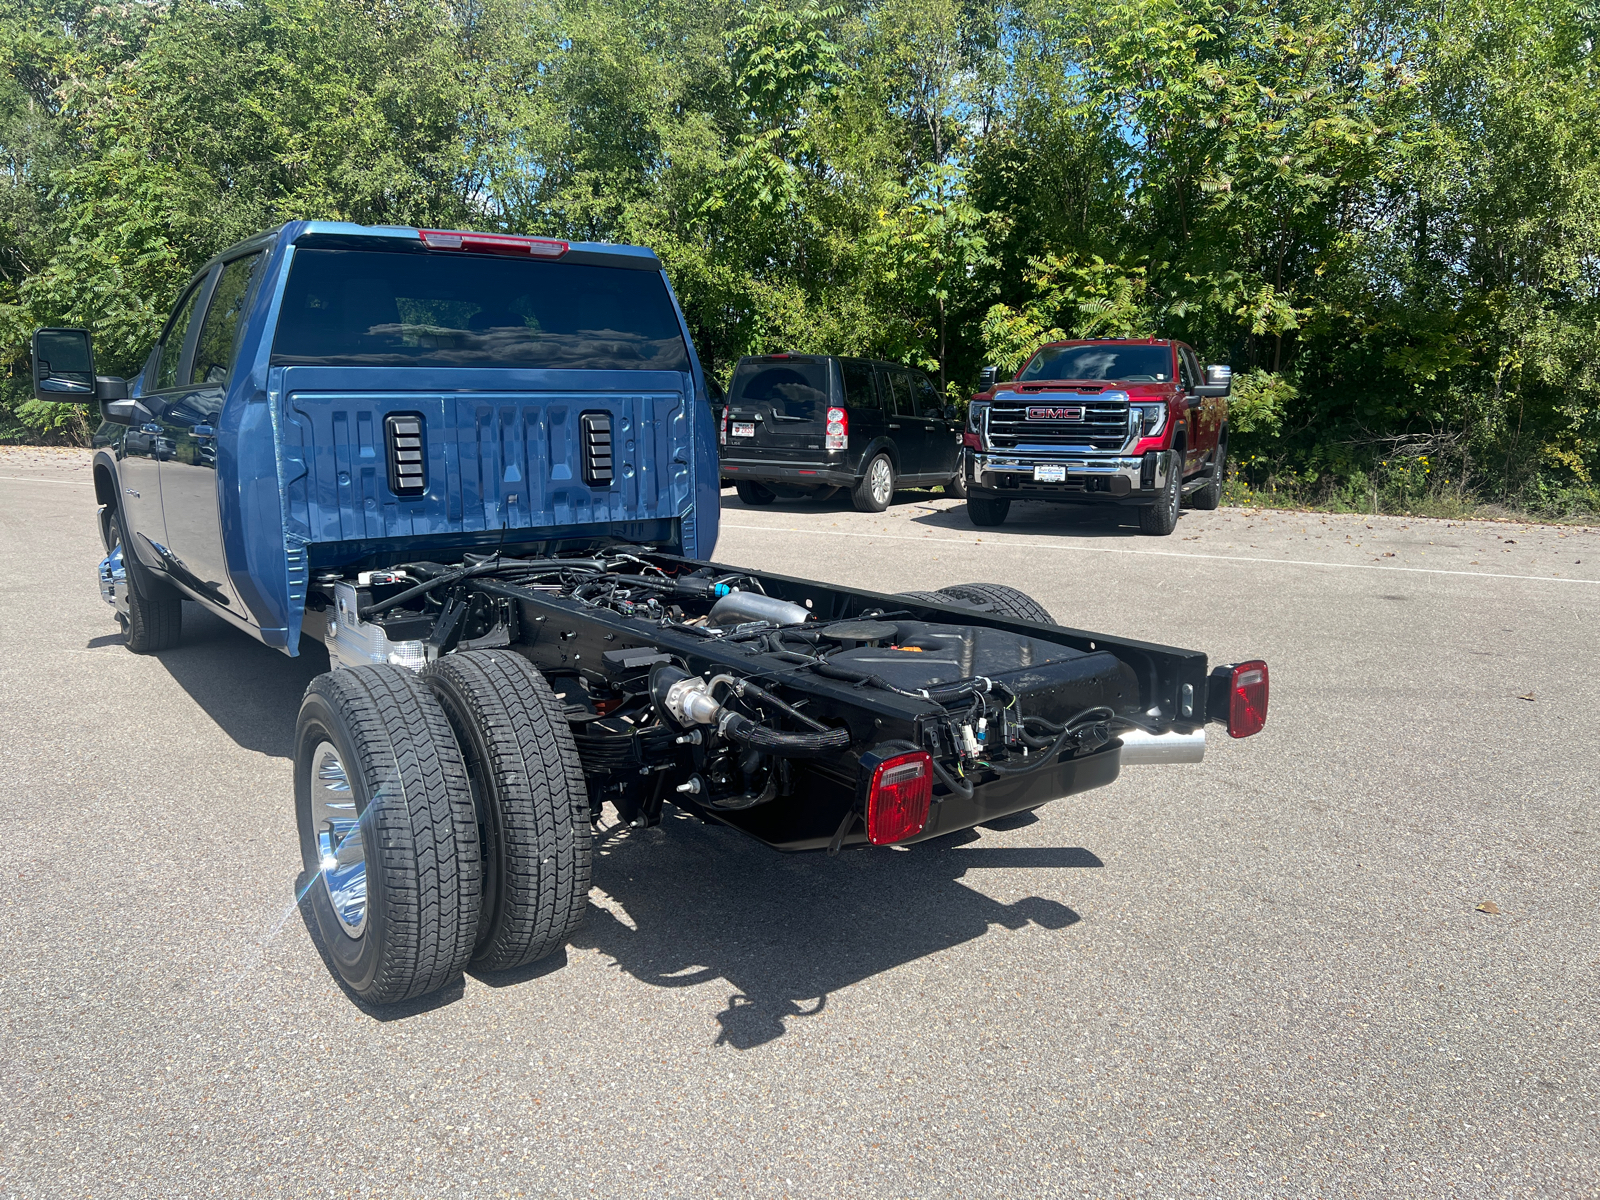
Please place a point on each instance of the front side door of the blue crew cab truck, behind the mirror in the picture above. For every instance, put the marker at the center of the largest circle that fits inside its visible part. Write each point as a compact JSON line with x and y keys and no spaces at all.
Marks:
{"x":146,"y":444}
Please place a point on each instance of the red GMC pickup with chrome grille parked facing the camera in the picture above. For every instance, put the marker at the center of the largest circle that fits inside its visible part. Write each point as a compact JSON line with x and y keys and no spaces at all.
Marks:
{"x":1106,"y":422}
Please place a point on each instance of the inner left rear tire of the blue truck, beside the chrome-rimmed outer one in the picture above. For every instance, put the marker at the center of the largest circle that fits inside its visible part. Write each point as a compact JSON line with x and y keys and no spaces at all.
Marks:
{"x":532,"y":804}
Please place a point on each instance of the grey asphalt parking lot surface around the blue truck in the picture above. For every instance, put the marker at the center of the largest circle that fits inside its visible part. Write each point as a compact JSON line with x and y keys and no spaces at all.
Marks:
{"x":1265,"y":975}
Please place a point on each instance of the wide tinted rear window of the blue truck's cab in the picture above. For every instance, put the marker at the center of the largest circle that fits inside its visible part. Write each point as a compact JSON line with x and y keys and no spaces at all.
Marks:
{"x":370,"y":308}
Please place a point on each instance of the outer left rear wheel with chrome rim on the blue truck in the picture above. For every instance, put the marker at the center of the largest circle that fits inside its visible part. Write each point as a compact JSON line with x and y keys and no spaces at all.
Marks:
{"x":388,"y":833}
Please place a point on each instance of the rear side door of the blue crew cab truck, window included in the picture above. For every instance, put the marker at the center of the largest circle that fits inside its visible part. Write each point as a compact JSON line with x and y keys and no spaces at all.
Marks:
{"x":191,"y":417}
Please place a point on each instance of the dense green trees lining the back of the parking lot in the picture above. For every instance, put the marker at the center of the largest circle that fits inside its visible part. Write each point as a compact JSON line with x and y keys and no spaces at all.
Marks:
{"x":1385,"y":215}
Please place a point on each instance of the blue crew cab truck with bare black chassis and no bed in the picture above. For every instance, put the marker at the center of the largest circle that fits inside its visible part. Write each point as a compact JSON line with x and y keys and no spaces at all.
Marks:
{"x":482,"y":473}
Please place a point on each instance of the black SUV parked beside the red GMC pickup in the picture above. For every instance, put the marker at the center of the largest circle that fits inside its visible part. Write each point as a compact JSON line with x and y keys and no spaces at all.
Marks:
{"x":810,"y":425}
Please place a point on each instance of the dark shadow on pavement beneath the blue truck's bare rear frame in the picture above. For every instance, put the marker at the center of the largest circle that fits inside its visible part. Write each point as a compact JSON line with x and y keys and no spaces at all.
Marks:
{"x":686,"y":905}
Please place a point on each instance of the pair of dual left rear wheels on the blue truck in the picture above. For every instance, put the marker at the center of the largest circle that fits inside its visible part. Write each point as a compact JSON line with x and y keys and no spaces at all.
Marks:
{"x":444,"y":822}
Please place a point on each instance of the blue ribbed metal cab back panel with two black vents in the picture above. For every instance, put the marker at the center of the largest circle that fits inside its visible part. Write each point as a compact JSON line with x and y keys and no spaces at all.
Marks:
{"x":510,"y":458}
